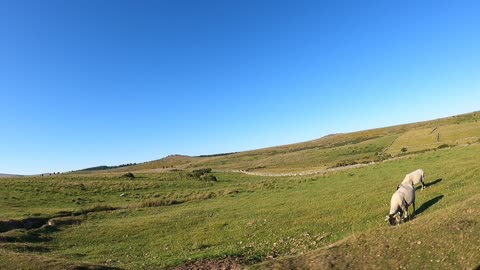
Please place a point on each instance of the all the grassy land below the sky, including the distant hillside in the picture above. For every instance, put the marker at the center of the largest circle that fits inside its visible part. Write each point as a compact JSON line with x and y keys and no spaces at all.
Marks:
{"x":164,"y":219}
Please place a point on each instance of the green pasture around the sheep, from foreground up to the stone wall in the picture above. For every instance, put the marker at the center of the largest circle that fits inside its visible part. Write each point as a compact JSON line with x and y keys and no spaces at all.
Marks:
{"x":168,"y":219}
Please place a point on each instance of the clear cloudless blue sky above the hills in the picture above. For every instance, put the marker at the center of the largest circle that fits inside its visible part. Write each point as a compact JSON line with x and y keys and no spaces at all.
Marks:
{"x":87,"y":83}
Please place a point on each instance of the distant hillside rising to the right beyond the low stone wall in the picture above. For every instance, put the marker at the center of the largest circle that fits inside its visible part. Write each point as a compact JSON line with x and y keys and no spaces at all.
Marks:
{"x":331,"y":151}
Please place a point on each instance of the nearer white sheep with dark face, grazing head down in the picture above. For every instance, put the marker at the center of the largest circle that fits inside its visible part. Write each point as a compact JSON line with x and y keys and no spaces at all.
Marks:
{"x":401,"y":199}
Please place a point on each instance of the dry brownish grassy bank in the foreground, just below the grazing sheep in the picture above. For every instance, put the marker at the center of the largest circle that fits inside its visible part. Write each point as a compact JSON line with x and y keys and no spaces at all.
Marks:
{"x":446,"y":239}
